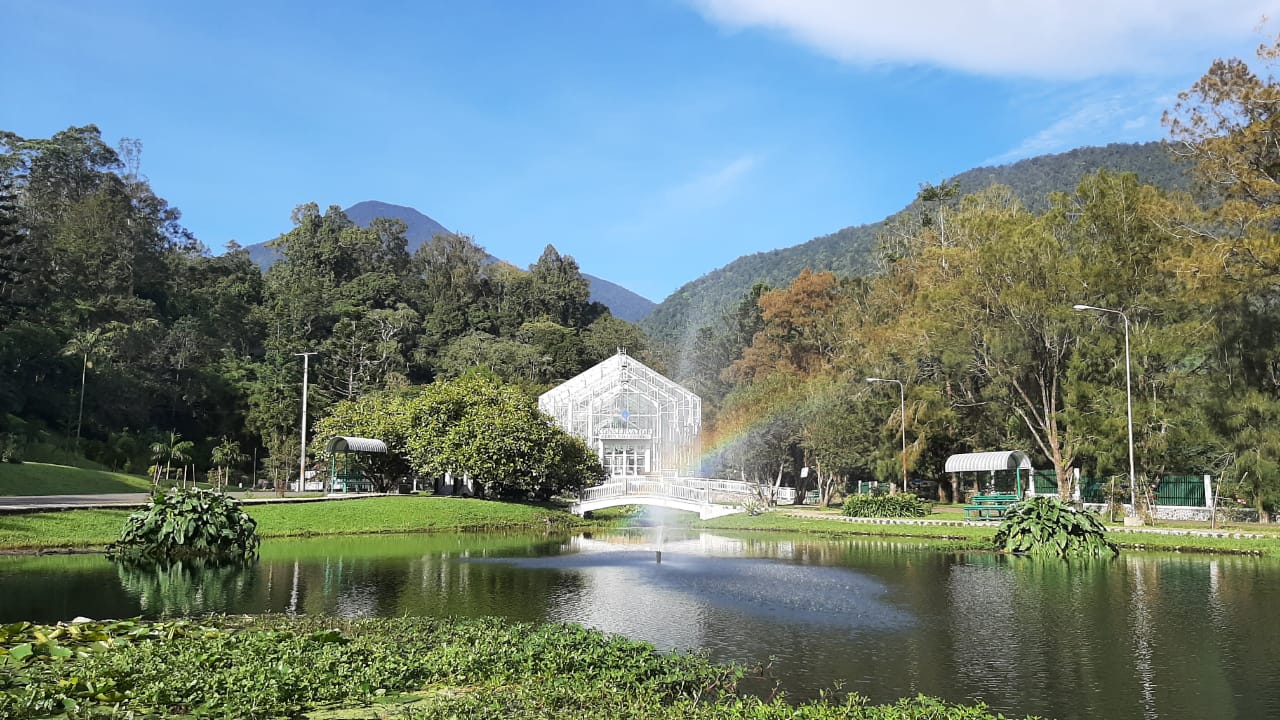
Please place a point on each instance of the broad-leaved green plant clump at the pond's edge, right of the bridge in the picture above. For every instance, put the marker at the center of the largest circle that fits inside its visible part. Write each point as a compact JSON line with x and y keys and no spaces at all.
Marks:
{"x":1046,"y":526}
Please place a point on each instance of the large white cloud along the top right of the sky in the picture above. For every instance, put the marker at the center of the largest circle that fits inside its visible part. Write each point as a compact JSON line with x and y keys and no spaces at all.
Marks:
{"x":1045,"y":39}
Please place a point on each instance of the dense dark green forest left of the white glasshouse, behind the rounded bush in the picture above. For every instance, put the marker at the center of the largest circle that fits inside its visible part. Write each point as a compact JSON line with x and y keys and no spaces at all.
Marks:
{"x":121,"y":335}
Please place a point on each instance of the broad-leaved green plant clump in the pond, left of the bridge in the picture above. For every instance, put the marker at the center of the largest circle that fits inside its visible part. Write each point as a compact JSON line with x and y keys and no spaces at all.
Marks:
{"x":189,"y":525}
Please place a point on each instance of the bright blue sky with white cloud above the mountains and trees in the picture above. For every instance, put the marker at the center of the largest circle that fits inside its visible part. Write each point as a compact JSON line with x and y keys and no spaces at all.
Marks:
{"x":653,"y":140}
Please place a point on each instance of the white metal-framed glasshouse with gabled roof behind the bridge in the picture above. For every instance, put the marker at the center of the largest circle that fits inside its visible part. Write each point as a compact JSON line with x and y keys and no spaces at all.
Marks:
{"x":637,"y":421}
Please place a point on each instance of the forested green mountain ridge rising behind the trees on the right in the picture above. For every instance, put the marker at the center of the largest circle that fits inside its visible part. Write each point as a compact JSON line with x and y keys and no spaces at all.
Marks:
{"x":851,"y":252}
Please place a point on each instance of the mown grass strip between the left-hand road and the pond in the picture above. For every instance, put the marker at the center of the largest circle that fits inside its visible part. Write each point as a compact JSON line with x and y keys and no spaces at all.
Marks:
{"x":396,"y":514}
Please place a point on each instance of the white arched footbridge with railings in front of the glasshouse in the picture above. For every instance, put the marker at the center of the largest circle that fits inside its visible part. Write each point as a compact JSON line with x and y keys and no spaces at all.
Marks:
{"x":708,"y":498}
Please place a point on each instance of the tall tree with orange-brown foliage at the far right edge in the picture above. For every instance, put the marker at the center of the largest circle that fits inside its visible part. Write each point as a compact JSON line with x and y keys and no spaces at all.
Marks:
{"x":1228,"y":258}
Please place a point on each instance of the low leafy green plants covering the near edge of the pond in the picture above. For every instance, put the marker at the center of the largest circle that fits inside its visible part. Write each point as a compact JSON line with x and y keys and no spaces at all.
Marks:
{"x":328,"y":668}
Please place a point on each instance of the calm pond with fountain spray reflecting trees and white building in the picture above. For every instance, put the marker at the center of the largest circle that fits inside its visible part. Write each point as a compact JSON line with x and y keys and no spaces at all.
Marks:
{"x":1145,"y":636}
